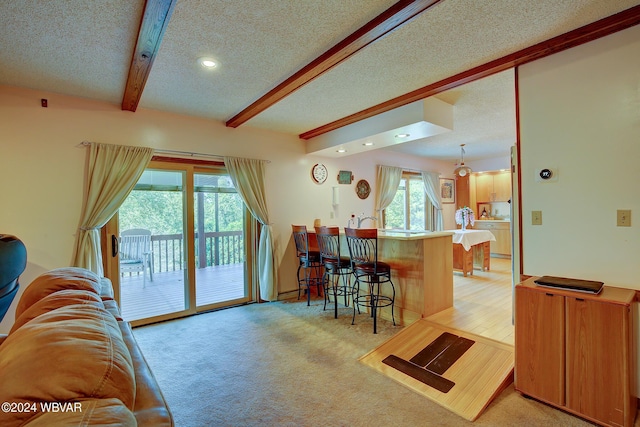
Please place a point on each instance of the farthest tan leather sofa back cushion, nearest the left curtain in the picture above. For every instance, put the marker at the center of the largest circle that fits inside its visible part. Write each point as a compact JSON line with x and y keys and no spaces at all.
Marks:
{"x":57,"y":280}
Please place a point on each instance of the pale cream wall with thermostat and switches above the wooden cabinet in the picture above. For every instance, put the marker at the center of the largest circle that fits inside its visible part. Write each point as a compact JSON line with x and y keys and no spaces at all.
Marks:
{"x":580,"y":113}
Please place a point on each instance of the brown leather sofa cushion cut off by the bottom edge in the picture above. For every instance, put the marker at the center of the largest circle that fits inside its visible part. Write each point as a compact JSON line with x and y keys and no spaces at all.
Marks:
{"x":99,"y":412}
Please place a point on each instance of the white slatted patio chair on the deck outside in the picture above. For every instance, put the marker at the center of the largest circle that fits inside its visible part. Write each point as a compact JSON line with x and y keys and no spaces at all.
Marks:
{"x":136,"y":254}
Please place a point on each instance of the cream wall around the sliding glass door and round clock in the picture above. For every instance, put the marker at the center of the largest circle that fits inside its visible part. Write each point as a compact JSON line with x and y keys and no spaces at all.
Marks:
{"x":42,"y":171}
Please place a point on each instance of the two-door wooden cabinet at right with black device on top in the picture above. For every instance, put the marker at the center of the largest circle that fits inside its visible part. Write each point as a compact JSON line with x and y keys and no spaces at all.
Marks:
{"x":575,"y":351}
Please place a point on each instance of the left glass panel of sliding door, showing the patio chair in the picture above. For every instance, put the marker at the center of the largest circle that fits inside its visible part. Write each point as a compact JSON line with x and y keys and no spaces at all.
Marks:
{"x":153,"y":270}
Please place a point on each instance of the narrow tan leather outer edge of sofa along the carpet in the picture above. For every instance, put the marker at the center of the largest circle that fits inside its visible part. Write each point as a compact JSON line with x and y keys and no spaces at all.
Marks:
{"x":150,"y":407}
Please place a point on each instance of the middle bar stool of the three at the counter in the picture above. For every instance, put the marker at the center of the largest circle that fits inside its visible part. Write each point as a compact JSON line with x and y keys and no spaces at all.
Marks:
{"x":337,"y":269}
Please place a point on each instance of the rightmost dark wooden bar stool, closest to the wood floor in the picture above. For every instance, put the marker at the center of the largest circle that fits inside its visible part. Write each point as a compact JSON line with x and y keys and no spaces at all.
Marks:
{"x":363,"y":251}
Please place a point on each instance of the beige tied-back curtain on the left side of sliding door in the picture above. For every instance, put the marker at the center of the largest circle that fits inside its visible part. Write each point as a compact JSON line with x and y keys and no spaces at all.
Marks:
{"x":112,"y":172}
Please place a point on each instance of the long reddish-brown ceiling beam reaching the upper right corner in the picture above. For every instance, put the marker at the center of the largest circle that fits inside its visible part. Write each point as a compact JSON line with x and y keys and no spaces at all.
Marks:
{"x":614,"y":23}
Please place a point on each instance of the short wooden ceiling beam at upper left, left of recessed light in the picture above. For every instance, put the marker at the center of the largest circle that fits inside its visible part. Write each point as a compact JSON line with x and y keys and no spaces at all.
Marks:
{"x":155,"y":19}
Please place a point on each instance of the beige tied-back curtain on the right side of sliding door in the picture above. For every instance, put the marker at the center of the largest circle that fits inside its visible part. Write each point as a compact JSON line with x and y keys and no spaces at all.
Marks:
{"x":248,"y":179}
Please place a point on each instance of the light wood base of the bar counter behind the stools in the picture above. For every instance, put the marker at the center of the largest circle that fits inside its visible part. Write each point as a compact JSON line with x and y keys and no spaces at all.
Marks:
{"x":421,"y":270}
